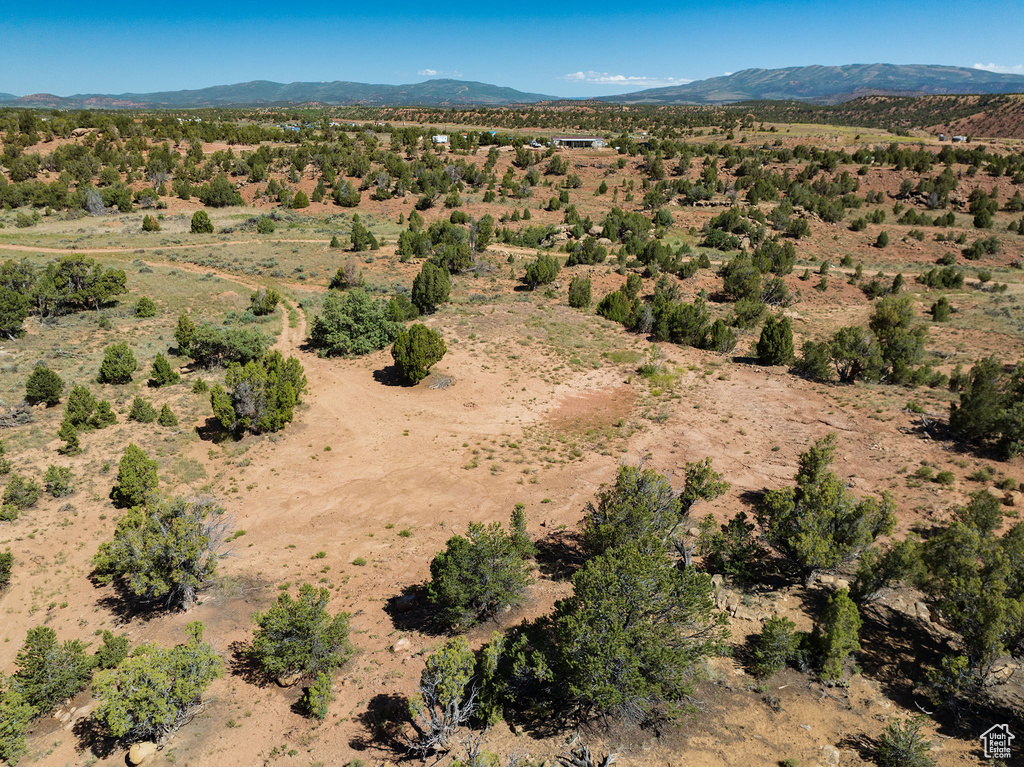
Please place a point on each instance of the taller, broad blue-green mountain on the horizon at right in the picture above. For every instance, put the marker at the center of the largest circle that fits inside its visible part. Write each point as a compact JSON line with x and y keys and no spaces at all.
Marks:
{"x":830,"y":84}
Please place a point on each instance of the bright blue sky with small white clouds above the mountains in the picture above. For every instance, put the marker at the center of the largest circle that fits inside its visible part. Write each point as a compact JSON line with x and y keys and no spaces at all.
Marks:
{"x":576,"y":50}
